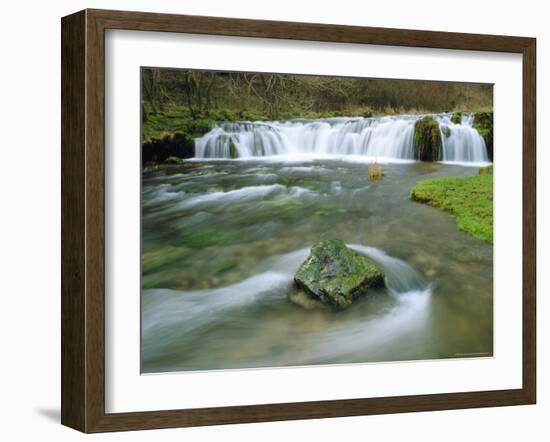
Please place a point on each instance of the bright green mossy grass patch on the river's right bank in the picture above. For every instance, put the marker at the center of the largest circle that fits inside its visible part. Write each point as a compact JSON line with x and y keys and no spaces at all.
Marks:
{"x":468,"y":199}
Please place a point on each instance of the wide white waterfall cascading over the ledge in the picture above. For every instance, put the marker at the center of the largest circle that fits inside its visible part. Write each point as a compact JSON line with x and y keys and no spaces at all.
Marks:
{"x":381,"y":138}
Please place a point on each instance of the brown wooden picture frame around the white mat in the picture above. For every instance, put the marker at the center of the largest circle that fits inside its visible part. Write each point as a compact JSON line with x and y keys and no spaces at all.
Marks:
{"x":83,"y":220}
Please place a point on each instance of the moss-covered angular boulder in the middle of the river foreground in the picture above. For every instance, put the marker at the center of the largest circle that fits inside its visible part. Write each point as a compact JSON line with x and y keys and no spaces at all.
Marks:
{"x":336,"y":275}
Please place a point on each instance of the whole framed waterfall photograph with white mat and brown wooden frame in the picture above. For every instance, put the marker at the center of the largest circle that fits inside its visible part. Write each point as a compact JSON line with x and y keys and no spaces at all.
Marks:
{"x":270,"y":220}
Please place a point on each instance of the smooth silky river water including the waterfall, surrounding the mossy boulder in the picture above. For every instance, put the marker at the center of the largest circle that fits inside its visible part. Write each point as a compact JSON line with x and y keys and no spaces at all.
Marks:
{"x":222,"y":239}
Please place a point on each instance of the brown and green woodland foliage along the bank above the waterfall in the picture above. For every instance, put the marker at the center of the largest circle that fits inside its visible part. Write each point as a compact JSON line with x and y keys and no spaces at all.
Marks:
{"x":227,"y":96}
